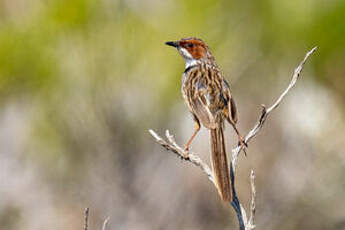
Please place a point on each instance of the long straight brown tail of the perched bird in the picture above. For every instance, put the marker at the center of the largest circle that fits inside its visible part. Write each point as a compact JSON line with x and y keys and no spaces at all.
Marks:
{"x":220,"y":163}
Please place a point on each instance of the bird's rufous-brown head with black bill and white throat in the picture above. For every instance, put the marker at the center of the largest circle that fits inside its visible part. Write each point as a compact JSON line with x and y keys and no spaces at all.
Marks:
{"x":193,"y":50}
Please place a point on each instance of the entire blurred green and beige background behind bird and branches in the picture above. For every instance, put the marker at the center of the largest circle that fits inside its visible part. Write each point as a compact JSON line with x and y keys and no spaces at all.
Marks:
{"x":82,"y":81}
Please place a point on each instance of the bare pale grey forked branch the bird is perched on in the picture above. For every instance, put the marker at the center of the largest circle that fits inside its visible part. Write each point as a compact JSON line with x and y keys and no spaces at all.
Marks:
{"x":244,"y":222}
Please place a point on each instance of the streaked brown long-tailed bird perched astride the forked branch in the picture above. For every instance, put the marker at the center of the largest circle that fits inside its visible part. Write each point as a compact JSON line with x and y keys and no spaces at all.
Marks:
{"x":207,"y":96}
